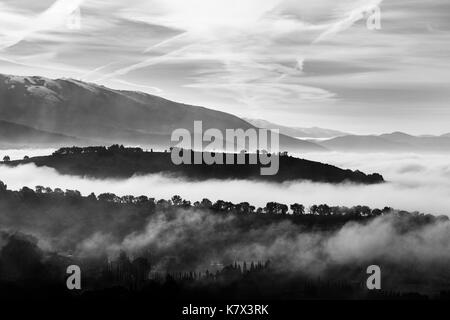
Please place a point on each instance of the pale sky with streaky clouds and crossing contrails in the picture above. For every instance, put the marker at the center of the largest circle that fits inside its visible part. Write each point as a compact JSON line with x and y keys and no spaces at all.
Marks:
{"x":293,"y":62}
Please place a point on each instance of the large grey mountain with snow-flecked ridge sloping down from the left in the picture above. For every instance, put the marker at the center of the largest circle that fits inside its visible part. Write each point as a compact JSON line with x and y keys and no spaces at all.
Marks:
{"x":84,"y":111}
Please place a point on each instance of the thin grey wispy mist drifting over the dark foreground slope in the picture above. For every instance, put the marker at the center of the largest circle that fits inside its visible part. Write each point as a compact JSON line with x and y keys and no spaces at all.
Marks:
{"x":204,"y":237}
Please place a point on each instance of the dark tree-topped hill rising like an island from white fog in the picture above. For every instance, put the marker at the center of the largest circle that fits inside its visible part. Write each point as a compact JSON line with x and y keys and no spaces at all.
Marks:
{"x":119,"y":162}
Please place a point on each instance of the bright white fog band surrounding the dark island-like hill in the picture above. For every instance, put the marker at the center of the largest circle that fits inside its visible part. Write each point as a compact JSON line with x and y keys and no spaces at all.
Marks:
{"x":415,"y":183}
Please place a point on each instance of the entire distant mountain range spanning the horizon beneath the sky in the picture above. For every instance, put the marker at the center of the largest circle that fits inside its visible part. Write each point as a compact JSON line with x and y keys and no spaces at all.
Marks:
{"x":37,"y":112}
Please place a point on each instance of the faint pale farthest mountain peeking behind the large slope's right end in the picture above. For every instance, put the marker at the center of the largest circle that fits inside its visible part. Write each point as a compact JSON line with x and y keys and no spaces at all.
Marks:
{"x":297,"y":132}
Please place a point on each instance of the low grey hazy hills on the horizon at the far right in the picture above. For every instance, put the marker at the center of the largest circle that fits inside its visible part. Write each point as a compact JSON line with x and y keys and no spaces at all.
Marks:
{"x":392,"y":142}
